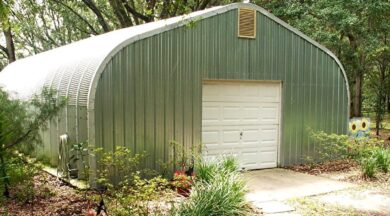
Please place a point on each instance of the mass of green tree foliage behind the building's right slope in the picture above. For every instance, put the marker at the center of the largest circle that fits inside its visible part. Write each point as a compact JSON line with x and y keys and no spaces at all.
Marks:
{"x":354,"y":30}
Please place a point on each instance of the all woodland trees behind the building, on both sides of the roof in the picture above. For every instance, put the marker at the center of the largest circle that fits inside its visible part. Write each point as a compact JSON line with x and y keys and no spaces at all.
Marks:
{"x":357,"y":31}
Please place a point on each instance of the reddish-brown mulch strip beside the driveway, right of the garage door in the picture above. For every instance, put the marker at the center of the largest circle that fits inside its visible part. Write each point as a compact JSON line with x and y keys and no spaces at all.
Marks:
{"x":325,"y":167}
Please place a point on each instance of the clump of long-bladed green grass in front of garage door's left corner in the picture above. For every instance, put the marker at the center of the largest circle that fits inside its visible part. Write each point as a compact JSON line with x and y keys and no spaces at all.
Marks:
{"x":223,"y":193}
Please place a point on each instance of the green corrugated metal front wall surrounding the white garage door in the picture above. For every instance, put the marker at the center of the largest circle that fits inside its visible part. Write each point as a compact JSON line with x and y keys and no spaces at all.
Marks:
{"x":150,"y":92}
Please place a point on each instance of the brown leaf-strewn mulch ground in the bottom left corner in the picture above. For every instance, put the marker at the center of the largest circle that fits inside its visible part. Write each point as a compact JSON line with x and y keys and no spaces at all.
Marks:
{"x":52,"y":197}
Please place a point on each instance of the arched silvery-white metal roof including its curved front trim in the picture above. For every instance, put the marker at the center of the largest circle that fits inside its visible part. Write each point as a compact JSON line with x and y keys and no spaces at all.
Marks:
{"x":74,"y":69}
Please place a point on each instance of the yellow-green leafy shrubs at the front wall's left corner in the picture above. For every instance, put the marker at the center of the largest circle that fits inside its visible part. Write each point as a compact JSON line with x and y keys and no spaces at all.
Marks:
{"x":128,"y":191}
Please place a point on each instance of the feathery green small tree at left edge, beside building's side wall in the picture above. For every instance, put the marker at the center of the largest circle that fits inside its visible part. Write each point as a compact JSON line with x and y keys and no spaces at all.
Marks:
{"x":20,"y":123}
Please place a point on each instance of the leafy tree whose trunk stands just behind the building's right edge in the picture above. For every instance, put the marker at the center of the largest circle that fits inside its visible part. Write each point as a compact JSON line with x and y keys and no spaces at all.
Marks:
{"x":344,"y":26}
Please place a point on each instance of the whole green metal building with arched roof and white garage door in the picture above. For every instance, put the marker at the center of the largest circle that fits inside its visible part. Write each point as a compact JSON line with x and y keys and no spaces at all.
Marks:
{"x":235,"y":78}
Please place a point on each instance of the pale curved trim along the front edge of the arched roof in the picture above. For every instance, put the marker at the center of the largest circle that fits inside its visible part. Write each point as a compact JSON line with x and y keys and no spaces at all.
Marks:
{"x":185,"y":19}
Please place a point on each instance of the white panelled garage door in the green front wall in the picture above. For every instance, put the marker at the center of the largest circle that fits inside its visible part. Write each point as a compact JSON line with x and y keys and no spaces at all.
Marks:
{"x":242,"y":119}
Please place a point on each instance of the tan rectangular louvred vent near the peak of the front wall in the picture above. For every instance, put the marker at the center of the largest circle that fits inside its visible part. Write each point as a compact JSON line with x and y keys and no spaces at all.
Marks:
{"x":246,"y":23}
